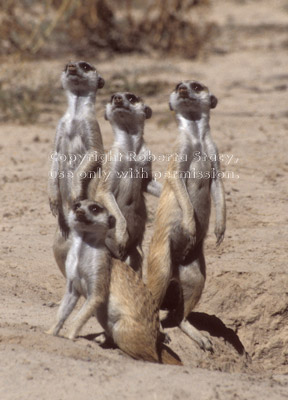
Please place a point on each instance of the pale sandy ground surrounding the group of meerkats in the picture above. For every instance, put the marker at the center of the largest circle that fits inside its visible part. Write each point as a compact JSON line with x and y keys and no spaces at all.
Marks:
{"x":244,"y":306}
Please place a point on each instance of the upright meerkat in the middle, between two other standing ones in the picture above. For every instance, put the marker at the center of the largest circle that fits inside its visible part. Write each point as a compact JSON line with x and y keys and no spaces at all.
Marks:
{"x":126,"y":176}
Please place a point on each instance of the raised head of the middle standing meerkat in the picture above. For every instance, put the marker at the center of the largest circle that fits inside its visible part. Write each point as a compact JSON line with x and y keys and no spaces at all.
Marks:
{"x":127,"y":110}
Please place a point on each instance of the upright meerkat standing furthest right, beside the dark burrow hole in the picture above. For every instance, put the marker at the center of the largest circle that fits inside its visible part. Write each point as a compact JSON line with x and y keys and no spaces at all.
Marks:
{"x":182,"y":218}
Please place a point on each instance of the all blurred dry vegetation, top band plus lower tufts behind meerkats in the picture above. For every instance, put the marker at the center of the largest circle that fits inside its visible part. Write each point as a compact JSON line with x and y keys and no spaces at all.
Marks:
{"x":33,"y":30}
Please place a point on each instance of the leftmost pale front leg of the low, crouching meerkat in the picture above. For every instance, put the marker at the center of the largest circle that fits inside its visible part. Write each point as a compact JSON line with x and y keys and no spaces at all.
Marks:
{"x":67,"y":305}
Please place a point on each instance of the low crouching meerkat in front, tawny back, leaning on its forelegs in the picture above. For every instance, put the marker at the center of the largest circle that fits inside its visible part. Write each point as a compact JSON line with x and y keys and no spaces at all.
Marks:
{"x":114,"y":293}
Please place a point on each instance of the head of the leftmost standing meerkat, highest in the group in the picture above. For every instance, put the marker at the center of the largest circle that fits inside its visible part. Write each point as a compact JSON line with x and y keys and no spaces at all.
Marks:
{"x":81,"y":78}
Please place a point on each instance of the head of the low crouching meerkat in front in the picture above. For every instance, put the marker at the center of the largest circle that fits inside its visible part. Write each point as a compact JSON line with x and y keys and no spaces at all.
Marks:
{"x":90,"y":216}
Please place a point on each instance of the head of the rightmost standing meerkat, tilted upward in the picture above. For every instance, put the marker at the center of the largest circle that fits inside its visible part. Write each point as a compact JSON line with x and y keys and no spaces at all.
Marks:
{"x":192,"y":97}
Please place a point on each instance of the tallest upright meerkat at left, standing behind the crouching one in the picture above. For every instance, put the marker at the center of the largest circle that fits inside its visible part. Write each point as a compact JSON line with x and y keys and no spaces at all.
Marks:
{"x":77,"y":149}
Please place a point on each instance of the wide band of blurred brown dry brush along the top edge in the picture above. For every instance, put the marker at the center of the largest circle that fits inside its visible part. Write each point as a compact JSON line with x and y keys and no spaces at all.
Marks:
{"x":29,"y":27}
